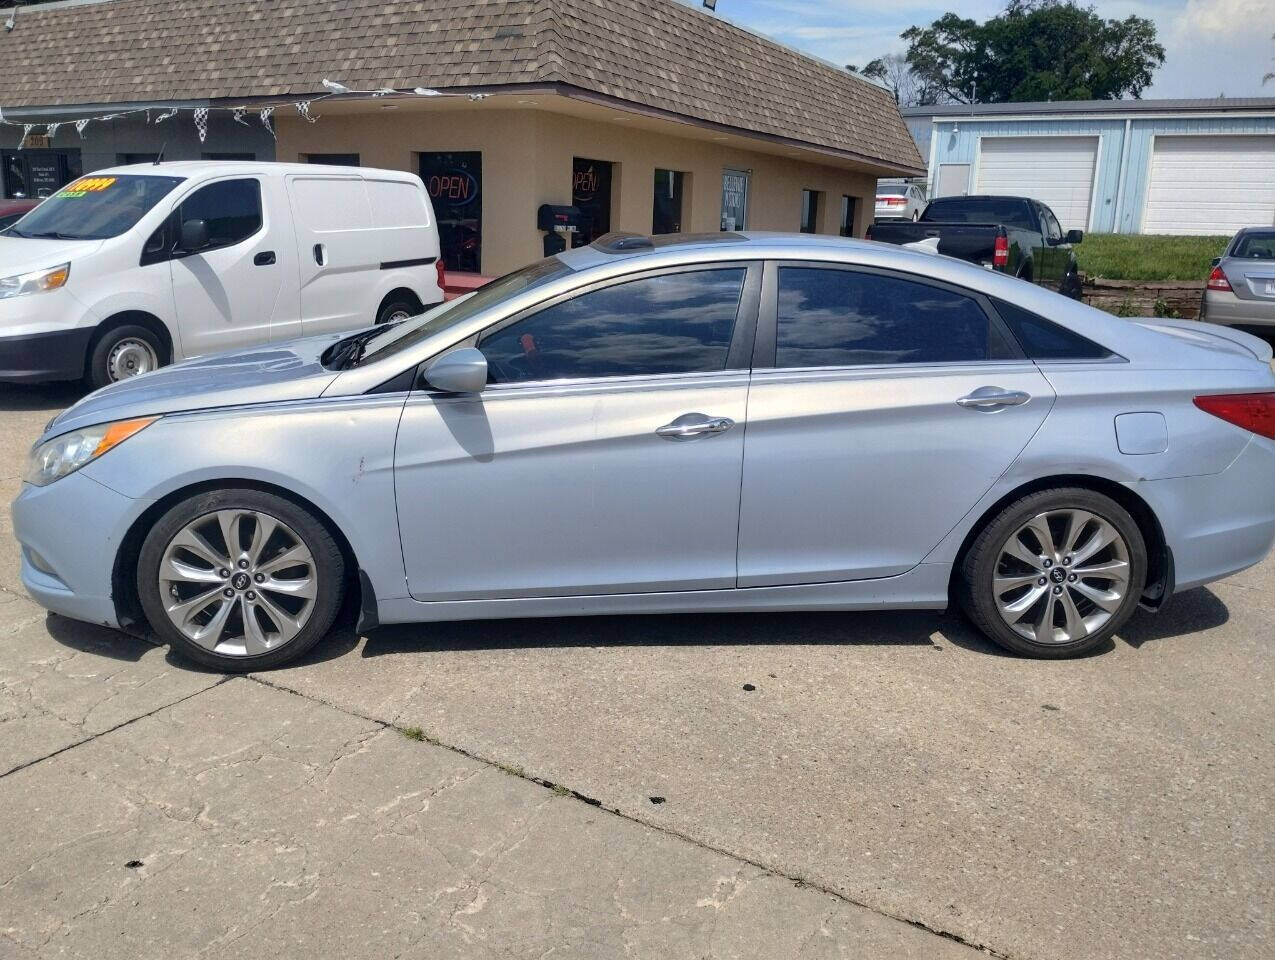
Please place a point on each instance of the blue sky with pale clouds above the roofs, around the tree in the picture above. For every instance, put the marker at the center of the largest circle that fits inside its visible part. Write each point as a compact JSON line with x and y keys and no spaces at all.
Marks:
{"x":1212,"y":47}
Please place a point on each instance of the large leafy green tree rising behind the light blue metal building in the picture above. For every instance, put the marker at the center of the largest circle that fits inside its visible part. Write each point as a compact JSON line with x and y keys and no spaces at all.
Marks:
{"x":1036,"y":50}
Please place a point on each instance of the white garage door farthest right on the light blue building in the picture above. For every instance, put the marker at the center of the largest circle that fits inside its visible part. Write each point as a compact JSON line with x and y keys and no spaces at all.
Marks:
{"x":1211,"y":185}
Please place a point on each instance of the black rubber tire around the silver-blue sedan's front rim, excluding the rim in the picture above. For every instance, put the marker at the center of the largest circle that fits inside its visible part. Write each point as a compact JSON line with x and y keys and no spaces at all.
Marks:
{"x":330,"y":571}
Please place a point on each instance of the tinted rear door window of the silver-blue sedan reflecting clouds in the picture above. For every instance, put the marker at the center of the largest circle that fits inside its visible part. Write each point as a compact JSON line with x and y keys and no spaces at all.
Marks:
{"x":843,"y":318}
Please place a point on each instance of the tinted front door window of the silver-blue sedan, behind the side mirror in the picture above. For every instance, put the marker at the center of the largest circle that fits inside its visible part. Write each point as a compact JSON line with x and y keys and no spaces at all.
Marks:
{"x":671,"y":324}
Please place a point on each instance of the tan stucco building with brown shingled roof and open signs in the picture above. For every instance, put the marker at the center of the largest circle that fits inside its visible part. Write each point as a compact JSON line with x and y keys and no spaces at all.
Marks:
{"x":643,"y":115}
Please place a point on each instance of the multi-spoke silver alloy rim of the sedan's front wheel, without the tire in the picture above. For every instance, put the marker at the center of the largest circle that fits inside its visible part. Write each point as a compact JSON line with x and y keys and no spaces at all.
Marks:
{"x":239,"y":583}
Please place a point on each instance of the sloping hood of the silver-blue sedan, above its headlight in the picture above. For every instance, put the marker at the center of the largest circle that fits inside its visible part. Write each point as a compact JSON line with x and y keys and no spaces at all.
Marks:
{"x":272,"y":373}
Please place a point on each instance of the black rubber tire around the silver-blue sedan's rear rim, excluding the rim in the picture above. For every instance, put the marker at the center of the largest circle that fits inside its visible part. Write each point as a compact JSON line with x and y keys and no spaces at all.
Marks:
{"x":975,"y":582}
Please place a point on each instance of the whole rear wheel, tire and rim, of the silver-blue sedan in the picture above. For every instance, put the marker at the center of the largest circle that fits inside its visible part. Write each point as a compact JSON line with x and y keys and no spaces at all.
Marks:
{"x":1055,"y":574}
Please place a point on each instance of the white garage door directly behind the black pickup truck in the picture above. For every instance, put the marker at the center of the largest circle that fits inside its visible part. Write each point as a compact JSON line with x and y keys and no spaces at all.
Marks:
{"x":1058,"y":171}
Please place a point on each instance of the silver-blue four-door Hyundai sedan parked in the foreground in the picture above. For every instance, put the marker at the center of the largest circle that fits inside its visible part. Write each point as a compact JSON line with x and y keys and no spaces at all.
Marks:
{"x":730,"y":423}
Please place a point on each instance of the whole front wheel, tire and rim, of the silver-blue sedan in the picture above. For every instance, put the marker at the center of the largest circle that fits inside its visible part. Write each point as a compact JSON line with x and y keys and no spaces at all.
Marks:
{"x":240,"y":579}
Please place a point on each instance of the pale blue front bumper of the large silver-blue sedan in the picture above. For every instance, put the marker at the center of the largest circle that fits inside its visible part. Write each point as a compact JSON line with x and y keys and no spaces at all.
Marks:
{"x":71,"y":534}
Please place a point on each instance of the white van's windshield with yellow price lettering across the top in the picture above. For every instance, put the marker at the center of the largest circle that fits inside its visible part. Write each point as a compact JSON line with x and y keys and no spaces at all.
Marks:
{"x":95,"y":208}
